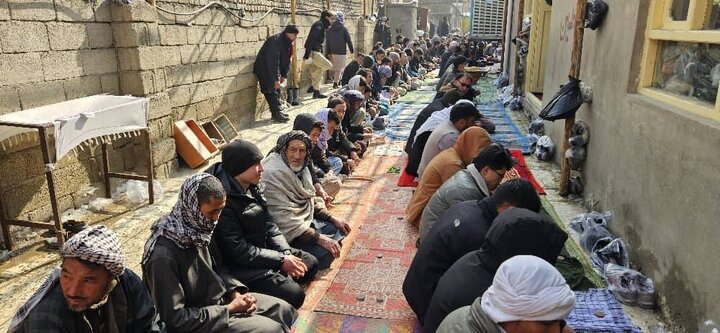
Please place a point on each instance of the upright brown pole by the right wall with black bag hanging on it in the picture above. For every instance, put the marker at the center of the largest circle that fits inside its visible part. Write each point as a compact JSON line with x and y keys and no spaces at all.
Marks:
{"x":574,"y":72}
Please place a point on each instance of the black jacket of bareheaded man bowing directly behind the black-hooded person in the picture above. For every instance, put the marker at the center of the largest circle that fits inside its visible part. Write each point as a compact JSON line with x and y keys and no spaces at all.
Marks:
{"x":461,"y":229}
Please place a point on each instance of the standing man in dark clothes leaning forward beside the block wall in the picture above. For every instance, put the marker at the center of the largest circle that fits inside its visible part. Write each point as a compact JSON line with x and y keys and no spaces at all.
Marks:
{"x":271,"y":68}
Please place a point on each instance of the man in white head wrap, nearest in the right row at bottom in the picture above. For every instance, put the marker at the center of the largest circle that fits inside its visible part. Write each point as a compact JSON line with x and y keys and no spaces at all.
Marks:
{"x":527,"y":295}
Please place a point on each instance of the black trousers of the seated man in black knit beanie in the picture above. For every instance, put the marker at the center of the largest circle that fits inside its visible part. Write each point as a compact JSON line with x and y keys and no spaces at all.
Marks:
{"x":277,"y":284}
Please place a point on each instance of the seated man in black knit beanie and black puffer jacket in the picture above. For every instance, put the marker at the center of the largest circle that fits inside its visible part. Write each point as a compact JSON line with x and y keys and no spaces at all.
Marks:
{"x":246,"y":241}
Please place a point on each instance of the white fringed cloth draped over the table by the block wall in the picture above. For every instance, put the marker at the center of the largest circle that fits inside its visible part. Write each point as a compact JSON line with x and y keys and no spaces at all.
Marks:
{"x":81,"y":119}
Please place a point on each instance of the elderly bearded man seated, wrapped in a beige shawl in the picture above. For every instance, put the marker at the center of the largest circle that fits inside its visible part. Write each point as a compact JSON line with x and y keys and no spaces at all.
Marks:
{"x":299,"y":214}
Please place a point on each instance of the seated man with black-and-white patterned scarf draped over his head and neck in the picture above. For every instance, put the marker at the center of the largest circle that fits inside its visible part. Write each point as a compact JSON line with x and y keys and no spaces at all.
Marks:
{"x":180,"y":273}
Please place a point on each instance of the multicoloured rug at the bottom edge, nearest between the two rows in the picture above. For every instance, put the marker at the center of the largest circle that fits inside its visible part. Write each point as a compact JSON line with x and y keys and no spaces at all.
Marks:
{"x":320,"y":322}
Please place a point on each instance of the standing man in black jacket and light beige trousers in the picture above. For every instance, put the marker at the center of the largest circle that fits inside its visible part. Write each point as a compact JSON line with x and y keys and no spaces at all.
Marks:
{"x":313,"y":52}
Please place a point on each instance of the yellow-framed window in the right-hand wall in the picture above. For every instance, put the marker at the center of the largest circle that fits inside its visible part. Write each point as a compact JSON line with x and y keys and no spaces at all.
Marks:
{"x":681,"y":60}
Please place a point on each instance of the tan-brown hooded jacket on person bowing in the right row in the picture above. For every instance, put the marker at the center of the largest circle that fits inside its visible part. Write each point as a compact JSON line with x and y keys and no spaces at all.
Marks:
{"x":445,"y":165}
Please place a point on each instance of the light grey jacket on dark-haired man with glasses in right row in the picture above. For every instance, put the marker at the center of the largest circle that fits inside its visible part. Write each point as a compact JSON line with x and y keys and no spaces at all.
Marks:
{"x":465,"y":185}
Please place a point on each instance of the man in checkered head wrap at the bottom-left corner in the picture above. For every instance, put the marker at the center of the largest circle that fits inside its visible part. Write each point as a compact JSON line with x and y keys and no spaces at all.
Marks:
{"x":91,"y":291}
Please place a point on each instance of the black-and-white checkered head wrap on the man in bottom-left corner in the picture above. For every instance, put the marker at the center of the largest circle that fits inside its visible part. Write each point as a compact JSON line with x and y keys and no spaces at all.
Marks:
{"x":98,"y":245}
